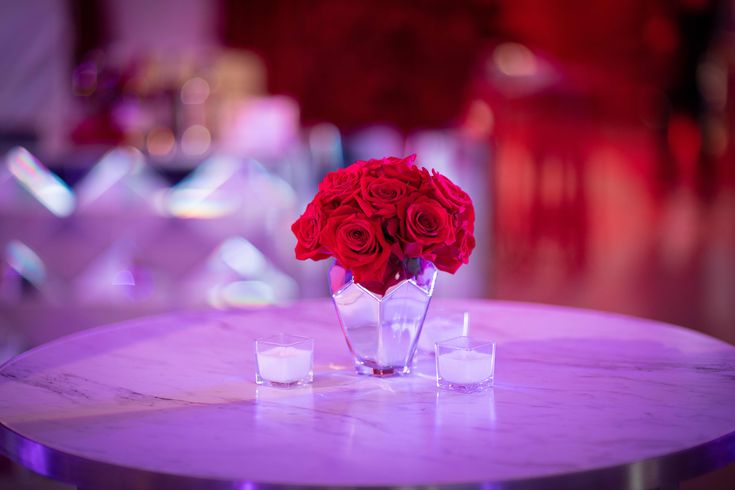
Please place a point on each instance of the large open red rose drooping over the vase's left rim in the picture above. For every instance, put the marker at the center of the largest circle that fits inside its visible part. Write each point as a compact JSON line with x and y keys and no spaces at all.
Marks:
{"x":358,"y":244}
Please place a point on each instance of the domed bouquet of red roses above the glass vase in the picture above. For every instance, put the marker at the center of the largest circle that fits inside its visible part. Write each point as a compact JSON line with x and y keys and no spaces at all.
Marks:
{"x":377,"y":217}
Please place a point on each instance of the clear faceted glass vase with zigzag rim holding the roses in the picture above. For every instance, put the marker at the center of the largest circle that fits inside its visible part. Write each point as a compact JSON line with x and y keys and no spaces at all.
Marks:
{"x":382,"y":331}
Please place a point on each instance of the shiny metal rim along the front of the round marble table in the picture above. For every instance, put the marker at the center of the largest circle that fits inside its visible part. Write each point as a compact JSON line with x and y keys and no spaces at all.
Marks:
{"x":90,"y":473}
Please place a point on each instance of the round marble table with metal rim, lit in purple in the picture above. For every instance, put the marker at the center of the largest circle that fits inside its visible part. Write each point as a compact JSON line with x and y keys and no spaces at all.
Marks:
{"x":582,"y":399}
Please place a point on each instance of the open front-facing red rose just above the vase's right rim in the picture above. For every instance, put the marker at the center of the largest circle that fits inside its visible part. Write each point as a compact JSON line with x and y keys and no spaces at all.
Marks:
{"x":426,"y":223}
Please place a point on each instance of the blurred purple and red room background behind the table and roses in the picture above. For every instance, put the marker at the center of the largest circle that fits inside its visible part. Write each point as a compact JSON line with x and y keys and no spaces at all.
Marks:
{"x":153,"y":154}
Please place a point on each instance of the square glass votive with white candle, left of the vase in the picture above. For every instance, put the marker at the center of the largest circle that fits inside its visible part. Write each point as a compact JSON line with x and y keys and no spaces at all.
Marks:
{"x":284,"y":361}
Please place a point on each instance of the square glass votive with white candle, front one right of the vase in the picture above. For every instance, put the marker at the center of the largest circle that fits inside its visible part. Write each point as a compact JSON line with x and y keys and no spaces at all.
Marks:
{"x":465,"y":364}
